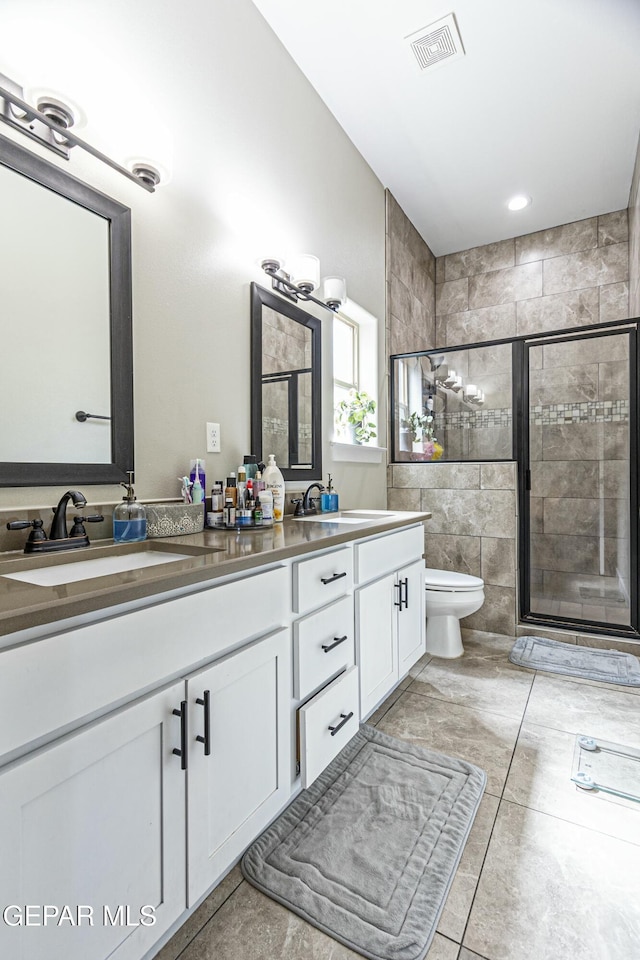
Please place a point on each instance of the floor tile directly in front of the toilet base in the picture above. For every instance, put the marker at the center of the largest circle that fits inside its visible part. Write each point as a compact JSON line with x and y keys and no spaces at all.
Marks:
{"x":481,"y":681}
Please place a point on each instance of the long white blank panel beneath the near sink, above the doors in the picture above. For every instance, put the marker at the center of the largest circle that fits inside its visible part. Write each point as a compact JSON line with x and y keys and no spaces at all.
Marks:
{"x":114,"y":659}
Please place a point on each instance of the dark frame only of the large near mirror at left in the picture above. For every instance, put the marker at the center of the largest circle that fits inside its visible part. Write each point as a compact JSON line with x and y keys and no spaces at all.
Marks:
{"x":121,"y":337}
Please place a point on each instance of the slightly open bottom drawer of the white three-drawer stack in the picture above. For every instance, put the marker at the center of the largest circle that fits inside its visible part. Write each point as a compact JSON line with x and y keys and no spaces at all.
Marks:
{"x":327,"y":723}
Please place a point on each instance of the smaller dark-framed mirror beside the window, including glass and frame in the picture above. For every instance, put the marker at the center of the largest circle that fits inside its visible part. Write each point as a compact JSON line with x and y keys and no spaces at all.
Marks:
{"x":286,"y":411}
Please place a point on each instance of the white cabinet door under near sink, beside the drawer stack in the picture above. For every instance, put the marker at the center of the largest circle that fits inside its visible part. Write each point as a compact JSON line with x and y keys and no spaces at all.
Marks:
{"x":244,"y":781}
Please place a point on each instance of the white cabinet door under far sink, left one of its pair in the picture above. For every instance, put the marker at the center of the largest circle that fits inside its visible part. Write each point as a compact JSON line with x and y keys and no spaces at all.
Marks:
{"x":376,"y":628}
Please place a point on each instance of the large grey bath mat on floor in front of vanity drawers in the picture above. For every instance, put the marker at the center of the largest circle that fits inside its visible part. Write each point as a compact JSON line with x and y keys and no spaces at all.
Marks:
{"x":368,"y":852}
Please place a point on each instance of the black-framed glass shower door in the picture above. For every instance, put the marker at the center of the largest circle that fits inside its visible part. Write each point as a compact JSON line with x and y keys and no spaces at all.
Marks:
{"x":581,"y":548}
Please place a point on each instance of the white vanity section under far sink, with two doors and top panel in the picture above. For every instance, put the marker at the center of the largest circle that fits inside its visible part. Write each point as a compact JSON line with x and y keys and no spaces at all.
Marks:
{"x":389,"y":608}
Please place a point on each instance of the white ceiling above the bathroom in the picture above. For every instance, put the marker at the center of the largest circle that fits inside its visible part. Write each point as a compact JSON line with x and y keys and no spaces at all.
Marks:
{"x":545,"y":101}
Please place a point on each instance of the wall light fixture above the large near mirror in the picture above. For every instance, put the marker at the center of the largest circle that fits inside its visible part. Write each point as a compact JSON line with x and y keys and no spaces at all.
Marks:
{"x":49,"y":123}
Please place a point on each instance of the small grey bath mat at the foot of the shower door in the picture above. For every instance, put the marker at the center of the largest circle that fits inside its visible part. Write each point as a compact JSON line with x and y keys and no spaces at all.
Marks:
{"x":570,"y":659}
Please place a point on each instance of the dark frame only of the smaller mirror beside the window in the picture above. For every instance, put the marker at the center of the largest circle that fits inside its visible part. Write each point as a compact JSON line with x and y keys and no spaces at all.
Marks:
{"x":259,"y":298}
